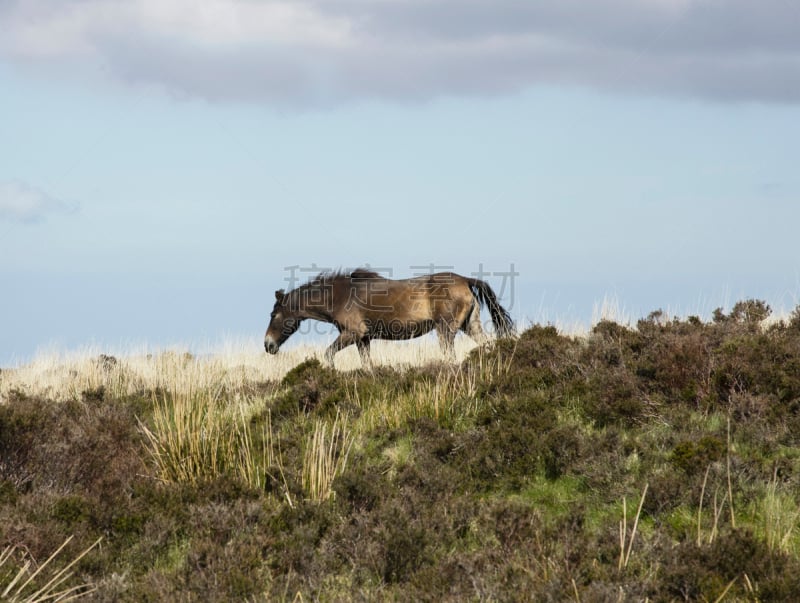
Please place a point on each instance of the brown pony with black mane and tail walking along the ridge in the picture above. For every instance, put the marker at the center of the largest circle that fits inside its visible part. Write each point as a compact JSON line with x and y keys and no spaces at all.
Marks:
{"x":363,"y":306}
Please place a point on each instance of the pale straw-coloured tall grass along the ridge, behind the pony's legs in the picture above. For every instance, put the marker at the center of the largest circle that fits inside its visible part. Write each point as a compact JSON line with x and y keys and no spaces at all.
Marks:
{"x":233,"y":365}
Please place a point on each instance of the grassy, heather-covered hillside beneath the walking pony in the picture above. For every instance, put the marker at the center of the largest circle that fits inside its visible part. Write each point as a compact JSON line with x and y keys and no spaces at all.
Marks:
{"x":660,"y":462}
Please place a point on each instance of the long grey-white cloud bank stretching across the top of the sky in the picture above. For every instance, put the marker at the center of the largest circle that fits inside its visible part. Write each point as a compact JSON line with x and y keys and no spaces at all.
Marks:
{"x":306,"y":52}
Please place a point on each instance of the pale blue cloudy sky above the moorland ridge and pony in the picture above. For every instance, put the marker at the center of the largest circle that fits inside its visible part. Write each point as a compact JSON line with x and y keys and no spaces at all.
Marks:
{"x":164,"y":164}
